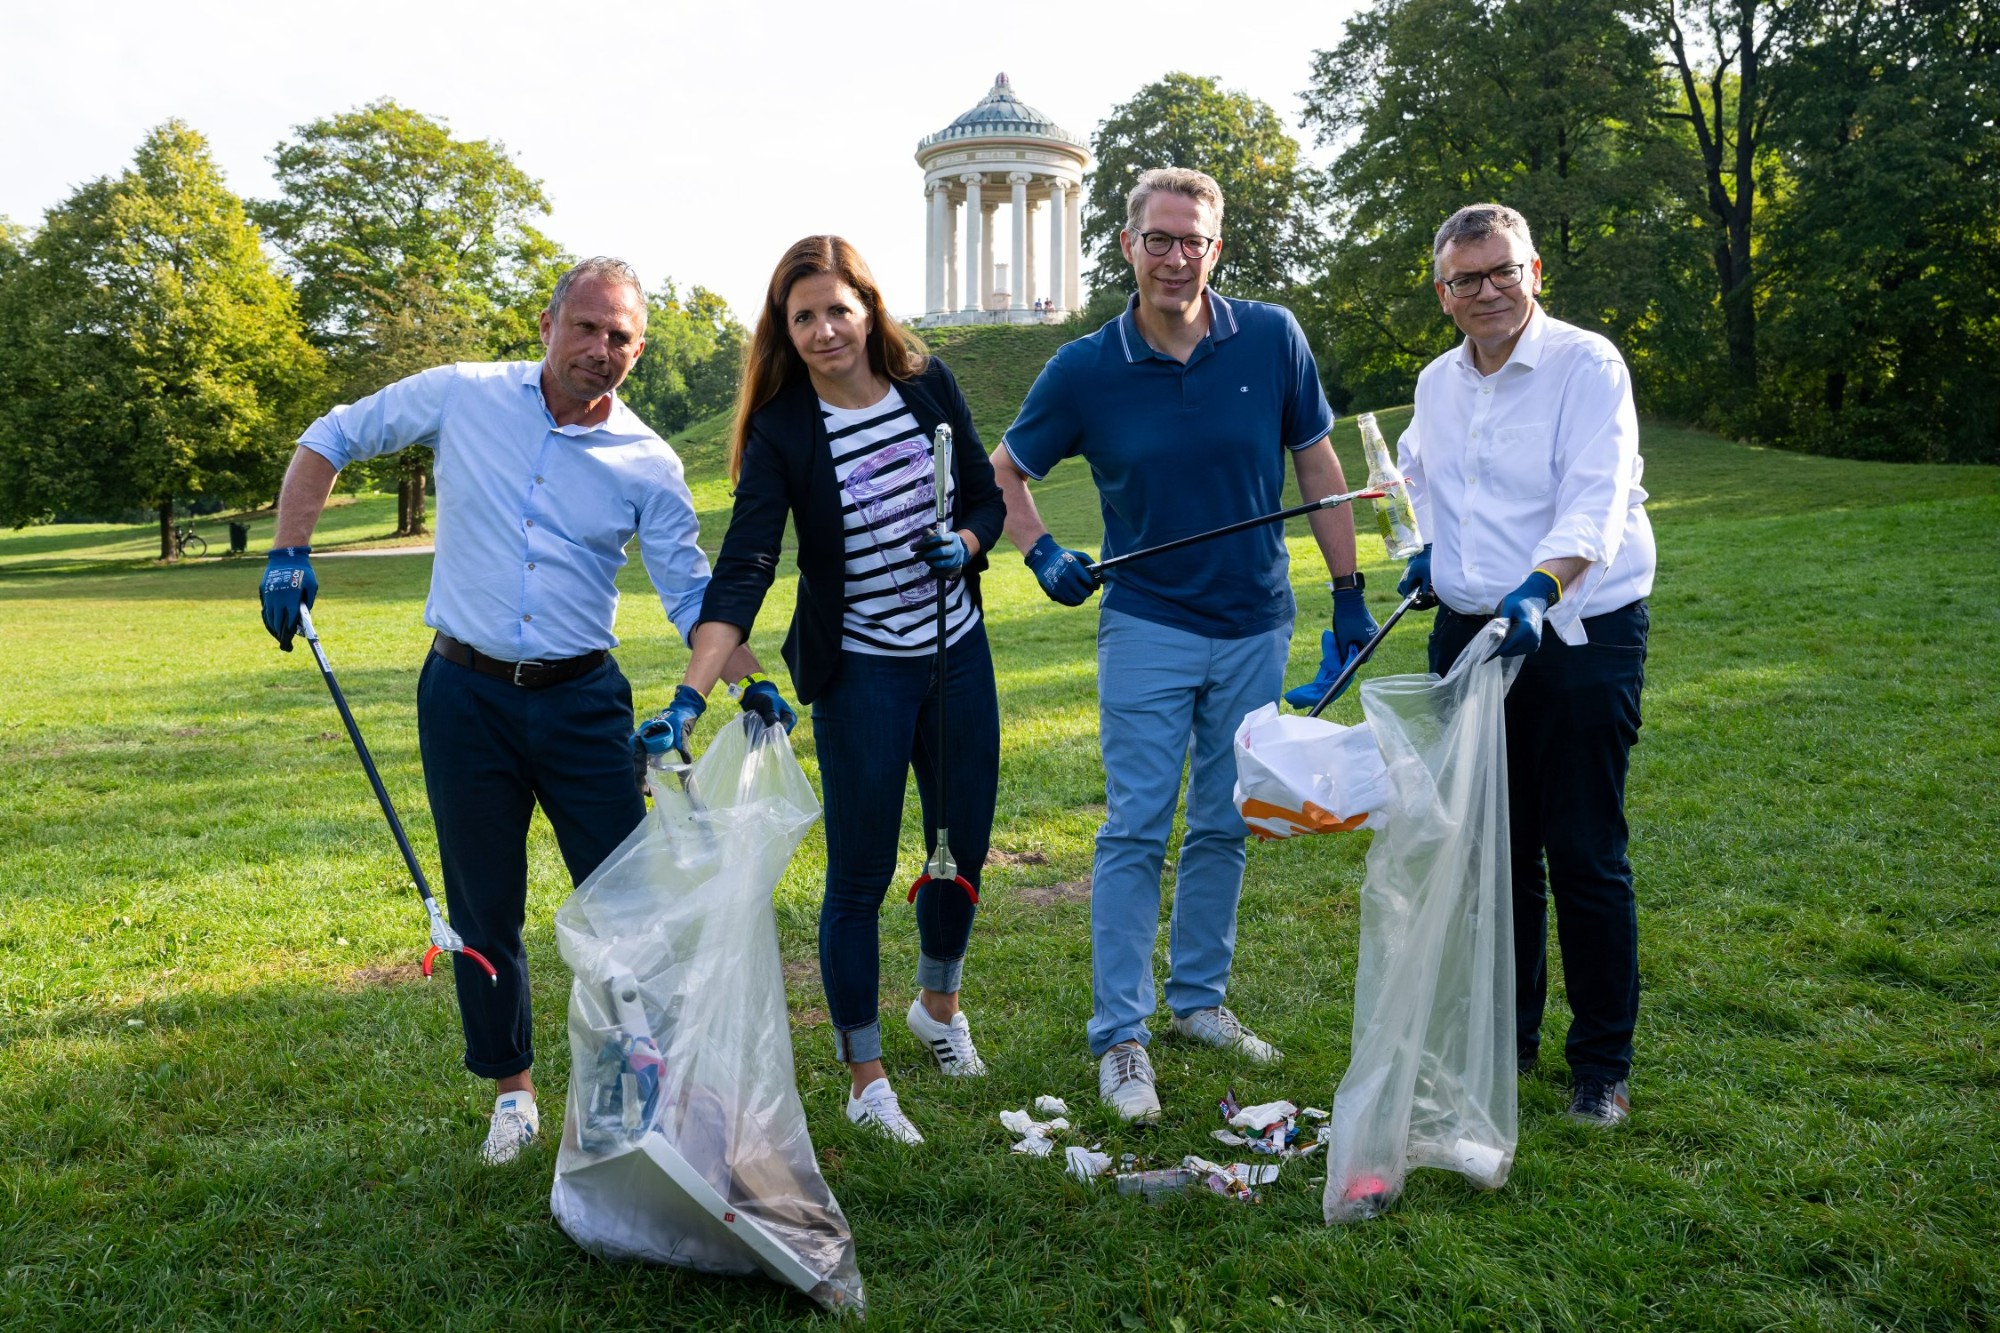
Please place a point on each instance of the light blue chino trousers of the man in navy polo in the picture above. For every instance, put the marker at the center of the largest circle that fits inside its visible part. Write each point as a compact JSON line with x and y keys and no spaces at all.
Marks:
{"x":1169,"y":704}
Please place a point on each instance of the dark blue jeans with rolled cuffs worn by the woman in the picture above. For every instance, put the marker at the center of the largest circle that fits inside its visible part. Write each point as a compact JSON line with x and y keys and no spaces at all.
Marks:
{"x":875,"y":724}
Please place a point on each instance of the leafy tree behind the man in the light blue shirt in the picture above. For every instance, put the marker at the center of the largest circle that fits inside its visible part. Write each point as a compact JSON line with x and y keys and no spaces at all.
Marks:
{"x":383,"y":199}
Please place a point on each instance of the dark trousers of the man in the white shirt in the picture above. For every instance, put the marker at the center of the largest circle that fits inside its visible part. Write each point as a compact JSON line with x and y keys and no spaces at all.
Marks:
{"x":1573,"y":720}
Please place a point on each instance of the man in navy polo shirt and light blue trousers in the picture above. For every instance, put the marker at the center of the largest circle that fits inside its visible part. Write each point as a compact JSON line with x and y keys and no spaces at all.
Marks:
{"x":1185,"y":407}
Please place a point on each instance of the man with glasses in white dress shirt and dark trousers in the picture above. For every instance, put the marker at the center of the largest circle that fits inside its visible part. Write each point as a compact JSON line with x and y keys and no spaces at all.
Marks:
{"x":1527,"y":473}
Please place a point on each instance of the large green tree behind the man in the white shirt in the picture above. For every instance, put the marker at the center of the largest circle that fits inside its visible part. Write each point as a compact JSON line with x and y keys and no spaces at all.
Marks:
{"x":1551,"y":107}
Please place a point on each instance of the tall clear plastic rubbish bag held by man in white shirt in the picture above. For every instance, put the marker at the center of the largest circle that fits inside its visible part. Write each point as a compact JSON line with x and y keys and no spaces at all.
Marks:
{"x":1431,"y":1076}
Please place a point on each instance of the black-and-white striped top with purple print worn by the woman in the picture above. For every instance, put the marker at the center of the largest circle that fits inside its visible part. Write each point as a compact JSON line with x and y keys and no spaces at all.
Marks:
{"x":887,"y":503}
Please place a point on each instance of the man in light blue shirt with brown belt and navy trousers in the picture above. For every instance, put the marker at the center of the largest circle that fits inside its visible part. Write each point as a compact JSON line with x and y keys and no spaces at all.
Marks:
{"x":543,"y":481}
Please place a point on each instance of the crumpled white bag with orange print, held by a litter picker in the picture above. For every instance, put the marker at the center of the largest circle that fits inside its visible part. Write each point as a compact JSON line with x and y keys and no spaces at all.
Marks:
{"x":1303,"y":776}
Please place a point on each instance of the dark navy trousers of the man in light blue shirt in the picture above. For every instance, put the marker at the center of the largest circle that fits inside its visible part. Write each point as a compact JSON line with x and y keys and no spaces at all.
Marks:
{"x":491,"y":754}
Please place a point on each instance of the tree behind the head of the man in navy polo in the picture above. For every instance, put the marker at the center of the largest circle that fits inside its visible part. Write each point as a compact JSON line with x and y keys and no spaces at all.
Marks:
{"x":1269,"y":223}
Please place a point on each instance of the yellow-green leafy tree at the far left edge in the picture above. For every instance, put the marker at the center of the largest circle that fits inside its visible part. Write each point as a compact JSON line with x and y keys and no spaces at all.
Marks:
{"x":153,"y":349}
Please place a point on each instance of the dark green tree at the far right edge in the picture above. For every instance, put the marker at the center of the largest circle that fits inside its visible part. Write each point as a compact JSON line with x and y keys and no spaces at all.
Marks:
{"x":1883,"y":319}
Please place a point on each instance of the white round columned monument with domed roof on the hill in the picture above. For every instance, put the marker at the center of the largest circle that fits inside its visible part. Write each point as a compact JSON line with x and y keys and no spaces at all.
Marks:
{"x":1003,"y":145}
